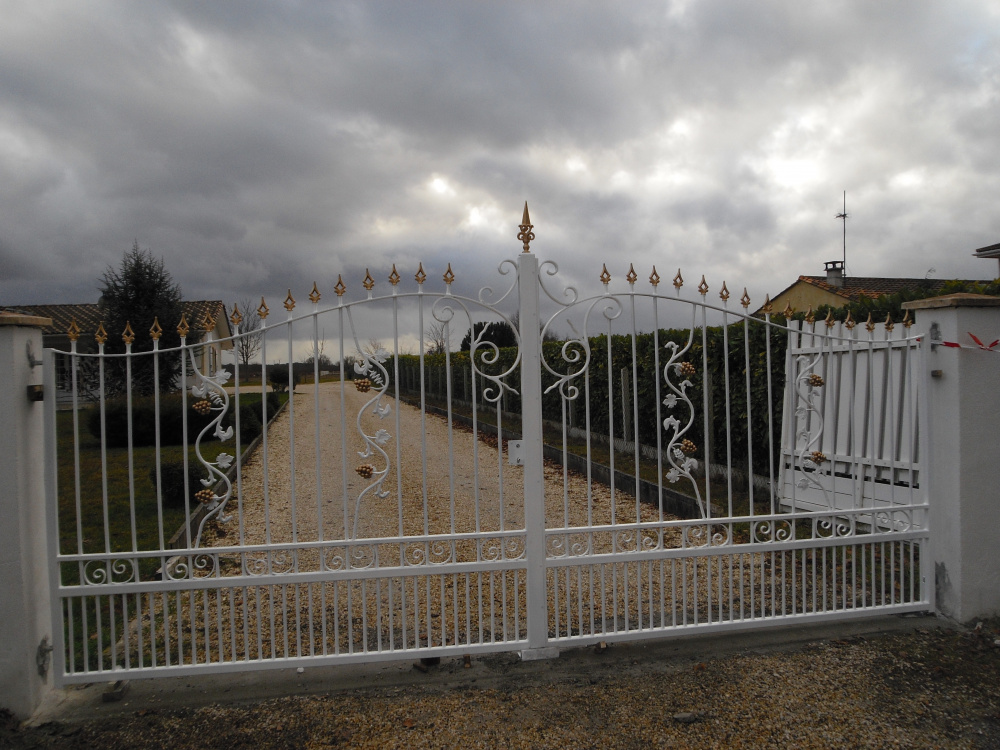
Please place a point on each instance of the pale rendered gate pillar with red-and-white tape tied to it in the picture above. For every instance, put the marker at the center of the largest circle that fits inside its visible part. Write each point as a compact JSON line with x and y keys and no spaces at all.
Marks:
{"x":963,"y":450}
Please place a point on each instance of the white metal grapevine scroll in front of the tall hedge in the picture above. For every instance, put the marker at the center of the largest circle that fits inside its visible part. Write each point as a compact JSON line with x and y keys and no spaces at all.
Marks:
{"x":677,"y":375}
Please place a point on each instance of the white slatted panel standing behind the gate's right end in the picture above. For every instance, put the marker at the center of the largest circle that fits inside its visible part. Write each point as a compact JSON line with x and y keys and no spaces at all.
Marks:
{"x":862,"y":422}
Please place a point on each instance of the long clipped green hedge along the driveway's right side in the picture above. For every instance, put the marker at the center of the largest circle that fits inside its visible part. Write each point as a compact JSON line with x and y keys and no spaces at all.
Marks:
{"x":708,"y":353}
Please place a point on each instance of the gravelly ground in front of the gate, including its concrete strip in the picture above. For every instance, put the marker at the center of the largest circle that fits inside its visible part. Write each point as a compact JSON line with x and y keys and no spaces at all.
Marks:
{"x":881,"y":682}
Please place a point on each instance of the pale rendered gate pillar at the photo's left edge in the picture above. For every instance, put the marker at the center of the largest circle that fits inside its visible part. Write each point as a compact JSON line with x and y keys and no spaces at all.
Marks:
{"x":25,"y":615}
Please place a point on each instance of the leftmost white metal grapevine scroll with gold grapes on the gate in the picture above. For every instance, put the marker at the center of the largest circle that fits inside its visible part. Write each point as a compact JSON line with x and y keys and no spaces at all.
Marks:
{"x":212,"y":398}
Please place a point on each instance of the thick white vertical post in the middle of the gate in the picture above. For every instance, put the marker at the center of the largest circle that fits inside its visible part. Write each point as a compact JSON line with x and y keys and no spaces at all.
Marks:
{"x":531,"y":437}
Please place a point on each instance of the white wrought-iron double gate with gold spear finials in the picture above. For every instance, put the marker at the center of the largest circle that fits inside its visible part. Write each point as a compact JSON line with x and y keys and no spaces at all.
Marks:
{"x":735,"y":473}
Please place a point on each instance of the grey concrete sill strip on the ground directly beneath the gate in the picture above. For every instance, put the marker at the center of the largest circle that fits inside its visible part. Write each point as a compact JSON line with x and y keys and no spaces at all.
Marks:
{"x":75,"y":704}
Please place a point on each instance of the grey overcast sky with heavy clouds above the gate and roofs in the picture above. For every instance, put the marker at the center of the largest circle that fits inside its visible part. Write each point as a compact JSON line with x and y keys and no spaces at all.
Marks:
{"x":259,"y":146}
